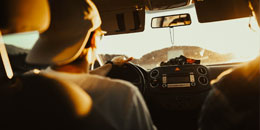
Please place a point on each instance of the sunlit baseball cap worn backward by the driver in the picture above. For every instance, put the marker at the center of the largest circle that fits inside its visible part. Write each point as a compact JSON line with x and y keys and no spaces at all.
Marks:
{"x":72,"y":22}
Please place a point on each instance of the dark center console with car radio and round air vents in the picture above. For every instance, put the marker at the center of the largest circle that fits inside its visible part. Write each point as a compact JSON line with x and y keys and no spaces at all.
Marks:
{"x":175,"y":94}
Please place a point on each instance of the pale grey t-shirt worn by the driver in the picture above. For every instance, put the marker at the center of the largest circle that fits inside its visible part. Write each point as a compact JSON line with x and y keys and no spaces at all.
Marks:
{"x":118,"y":102}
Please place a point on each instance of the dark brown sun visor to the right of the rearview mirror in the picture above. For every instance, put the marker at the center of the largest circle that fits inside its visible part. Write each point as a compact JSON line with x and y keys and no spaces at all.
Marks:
{"x":218,"y":10}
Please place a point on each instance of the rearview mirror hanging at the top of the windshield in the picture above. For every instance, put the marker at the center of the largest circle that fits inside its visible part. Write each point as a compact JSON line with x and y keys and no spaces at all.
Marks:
{"x":171,"y":21}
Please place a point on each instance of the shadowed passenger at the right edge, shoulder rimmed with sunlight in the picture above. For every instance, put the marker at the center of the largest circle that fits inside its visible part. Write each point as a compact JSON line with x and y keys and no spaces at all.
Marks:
{"x":233,"y":102}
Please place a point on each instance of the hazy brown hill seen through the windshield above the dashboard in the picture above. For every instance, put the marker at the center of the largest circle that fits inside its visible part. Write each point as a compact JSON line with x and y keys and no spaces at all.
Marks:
{"x":154,"y":58}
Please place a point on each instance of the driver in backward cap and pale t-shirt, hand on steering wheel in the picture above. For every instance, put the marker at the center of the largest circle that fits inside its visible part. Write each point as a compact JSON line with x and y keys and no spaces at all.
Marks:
{"x":68,"y":48}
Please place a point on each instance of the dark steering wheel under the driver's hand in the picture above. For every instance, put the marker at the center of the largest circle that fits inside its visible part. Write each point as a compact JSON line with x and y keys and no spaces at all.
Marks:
{"x":128,"y":72}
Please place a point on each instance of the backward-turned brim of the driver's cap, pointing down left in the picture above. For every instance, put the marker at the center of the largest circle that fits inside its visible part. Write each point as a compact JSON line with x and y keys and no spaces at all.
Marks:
{"x":57,"y":50}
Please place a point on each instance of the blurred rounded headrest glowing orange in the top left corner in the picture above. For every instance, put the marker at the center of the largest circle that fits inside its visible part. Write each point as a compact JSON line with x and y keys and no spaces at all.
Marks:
{"x":24,"y":15}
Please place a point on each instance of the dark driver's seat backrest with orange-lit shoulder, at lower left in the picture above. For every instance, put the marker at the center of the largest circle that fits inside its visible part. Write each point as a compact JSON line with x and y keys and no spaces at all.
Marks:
{"x":36,"y":101}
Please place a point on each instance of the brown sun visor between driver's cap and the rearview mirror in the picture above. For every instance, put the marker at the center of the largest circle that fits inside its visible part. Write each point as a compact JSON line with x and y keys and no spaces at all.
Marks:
{"x":121,"y":16}
